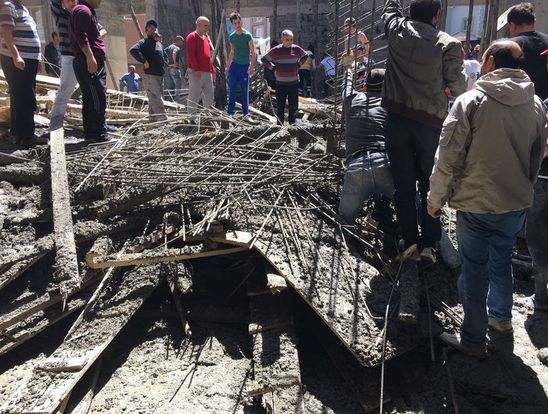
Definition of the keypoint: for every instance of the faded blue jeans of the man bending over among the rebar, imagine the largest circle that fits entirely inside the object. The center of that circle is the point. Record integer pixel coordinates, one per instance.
(366, 174)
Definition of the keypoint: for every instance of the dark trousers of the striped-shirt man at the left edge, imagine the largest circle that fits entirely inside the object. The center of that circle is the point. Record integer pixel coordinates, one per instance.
(22, 85)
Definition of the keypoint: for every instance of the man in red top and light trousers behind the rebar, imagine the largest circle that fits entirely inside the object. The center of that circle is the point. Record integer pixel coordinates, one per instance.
(200, 70)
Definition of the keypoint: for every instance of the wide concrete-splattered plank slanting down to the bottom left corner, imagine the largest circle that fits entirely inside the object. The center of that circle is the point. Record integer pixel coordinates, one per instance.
(46, 390)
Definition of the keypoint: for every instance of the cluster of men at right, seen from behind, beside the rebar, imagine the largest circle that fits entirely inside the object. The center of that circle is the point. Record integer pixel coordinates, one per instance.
(485, 156)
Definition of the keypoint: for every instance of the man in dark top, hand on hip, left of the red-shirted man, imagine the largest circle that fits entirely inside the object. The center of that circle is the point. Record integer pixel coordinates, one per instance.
(150, 53)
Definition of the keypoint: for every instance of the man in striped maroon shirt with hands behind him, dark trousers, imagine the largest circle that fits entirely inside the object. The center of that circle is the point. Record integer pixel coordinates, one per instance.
(286, 60)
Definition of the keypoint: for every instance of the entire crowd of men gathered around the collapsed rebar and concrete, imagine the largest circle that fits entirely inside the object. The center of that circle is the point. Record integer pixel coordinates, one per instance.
(435, 128)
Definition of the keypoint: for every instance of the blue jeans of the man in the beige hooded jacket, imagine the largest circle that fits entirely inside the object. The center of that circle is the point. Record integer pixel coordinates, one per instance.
(485, 247)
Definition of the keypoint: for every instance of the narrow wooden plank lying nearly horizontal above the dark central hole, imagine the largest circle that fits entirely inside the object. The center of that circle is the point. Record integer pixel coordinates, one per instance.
(152, 257)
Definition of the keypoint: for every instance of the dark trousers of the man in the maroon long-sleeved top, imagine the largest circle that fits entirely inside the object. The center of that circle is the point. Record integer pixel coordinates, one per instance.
(94, 100)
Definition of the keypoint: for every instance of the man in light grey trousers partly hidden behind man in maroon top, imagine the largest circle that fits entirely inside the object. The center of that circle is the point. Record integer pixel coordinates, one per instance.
(61, 10)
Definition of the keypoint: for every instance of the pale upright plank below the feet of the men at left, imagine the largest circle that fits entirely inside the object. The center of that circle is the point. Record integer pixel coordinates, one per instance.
(66, 260)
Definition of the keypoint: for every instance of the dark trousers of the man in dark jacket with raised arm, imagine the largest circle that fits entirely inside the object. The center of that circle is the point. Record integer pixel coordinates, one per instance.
(411, 147)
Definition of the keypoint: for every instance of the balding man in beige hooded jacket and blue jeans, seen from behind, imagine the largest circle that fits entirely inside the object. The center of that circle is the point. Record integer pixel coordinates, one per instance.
(490, 150)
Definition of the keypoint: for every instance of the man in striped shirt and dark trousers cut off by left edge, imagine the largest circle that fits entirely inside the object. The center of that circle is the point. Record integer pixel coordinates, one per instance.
(19, 58)
